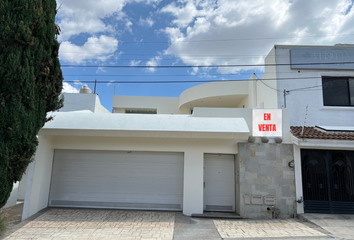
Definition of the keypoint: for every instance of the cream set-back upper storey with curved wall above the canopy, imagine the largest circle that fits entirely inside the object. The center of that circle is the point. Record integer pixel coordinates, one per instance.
(224, 94)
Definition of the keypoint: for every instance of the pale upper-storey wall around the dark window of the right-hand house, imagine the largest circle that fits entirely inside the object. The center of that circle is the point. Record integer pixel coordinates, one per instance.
(301, 84)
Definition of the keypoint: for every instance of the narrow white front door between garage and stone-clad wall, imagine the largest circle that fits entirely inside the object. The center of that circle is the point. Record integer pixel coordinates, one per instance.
(219, 183)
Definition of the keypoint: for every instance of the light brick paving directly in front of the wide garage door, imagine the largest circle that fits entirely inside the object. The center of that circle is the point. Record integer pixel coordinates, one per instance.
(57, 224)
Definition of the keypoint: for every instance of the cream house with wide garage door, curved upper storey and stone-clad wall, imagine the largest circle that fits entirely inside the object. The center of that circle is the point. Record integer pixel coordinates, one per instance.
(157, 154)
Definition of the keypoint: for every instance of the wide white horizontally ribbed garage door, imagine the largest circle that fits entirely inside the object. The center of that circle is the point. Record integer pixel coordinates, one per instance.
(122, 180)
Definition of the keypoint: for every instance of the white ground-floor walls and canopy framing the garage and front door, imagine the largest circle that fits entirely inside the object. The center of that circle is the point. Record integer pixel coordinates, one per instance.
(193, 136)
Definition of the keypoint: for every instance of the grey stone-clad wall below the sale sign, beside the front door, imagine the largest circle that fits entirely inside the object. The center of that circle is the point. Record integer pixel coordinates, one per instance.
(262, 170)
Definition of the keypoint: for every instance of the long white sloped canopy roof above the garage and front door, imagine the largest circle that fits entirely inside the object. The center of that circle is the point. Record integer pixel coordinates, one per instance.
(144, 125)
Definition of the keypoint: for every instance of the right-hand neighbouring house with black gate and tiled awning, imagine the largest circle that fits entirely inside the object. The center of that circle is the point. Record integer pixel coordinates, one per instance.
(320, 81)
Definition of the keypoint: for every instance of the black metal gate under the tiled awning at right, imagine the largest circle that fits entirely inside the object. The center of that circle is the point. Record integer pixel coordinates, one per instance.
(328, 181)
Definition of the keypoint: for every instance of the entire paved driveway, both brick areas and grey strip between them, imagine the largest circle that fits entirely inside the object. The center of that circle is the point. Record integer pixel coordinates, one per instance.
(57, 224)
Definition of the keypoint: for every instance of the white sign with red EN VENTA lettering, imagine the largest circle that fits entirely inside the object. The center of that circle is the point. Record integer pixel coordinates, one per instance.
(267, 123)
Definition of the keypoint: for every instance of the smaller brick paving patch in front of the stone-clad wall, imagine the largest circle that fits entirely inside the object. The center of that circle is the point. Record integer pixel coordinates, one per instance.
(287, 228)
